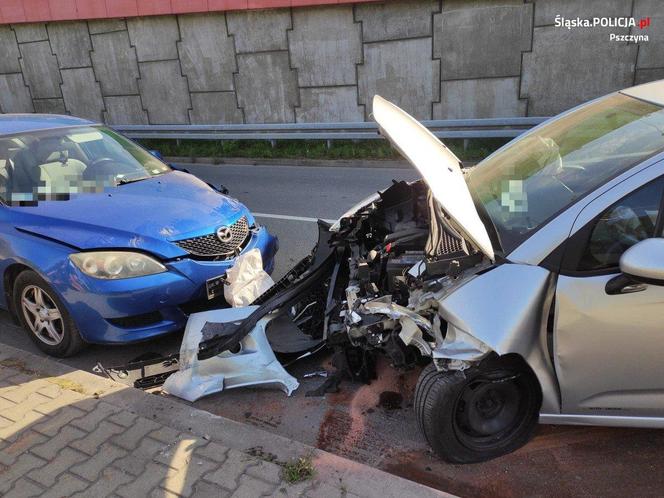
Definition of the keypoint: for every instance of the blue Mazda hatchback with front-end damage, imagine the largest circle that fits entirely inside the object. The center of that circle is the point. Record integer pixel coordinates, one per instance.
(102, 242)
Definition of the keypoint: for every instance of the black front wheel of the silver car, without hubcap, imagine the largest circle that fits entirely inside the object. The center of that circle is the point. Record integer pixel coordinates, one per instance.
(481, 413)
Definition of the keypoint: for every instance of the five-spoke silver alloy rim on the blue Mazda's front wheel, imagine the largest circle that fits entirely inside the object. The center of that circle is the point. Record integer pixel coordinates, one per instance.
(42, 315)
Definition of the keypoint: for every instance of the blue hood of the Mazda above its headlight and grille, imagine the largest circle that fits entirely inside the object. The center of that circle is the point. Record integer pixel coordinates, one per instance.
(144, 215)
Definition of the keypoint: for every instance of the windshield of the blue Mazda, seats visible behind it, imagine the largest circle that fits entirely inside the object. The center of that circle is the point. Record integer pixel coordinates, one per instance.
(52, 164)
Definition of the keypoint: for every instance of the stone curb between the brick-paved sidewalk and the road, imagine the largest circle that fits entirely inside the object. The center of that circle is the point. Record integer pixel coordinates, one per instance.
(178, 415)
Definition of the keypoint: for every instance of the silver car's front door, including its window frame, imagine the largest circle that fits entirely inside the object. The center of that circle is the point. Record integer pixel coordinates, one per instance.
(609, 345)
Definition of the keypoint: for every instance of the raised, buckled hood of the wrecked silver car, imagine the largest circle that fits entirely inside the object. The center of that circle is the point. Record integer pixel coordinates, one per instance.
(439, 167)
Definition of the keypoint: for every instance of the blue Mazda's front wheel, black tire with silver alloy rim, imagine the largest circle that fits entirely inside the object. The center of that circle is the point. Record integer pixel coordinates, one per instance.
(61, 337)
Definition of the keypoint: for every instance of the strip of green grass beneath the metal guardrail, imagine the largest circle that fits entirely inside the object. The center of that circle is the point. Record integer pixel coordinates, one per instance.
(307, 149)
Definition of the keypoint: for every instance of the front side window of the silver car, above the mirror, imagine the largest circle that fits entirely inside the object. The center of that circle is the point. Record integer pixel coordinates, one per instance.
(622, 225)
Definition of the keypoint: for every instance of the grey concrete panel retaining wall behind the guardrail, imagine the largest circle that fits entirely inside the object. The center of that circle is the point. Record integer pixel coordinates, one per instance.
(436, 58)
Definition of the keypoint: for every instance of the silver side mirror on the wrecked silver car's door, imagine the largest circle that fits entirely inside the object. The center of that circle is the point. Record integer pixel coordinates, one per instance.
(644, 262)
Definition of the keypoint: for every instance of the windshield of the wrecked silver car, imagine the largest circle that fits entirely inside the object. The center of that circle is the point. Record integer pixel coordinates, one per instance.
(541, 173)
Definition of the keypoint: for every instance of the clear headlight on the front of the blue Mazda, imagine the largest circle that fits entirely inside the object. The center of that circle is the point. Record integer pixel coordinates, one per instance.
(112, 265)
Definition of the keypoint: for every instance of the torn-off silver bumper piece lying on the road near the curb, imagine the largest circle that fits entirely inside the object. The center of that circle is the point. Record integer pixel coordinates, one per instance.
(253, 365)
